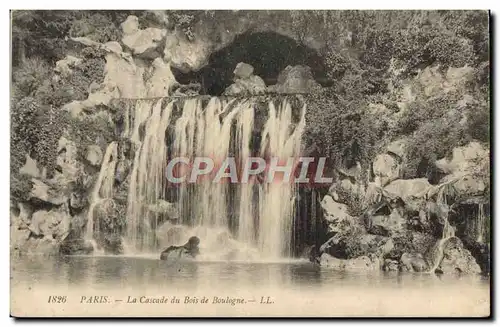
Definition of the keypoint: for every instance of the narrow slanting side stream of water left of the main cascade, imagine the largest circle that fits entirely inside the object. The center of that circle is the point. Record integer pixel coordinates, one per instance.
(103, 188)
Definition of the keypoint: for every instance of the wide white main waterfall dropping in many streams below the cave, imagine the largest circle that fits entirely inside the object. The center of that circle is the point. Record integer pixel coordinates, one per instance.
(257, 217)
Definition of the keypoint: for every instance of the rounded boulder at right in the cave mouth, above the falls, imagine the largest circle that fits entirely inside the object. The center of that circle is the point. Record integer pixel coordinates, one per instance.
(295, 79)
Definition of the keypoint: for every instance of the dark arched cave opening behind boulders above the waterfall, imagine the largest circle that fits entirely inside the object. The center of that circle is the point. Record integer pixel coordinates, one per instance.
(268, 52)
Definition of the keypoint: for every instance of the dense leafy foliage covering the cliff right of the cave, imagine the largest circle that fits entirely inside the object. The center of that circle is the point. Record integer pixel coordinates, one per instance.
(365, 48)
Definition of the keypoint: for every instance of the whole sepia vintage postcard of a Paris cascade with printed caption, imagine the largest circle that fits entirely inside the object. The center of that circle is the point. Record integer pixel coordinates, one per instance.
(210, 163)
